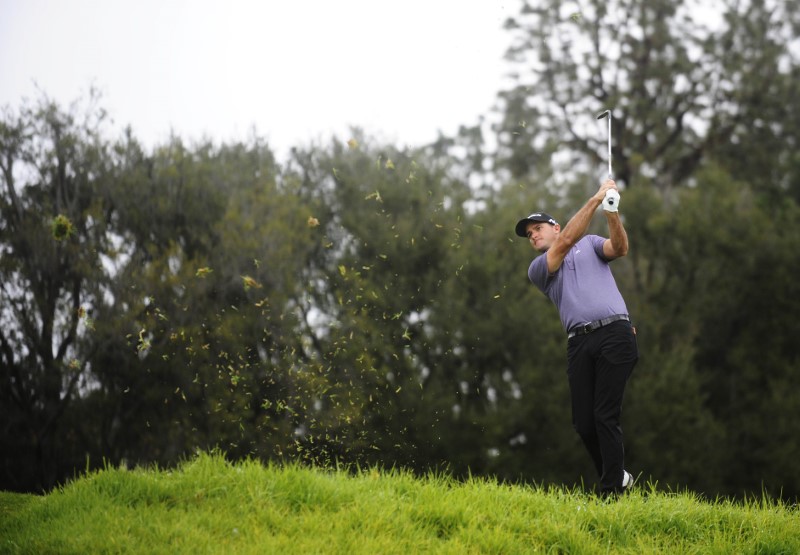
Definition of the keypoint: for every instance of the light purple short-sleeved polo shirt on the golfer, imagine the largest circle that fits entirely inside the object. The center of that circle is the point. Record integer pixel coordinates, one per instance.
(583, 288)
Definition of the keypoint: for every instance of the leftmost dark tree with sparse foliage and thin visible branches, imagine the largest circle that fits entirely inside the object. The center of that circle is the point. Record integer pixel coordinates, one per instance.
(55, 205)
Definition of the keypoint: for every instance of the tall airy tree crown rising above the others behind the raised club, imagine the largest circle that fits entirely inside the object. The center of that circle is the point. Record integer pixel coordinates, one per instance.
(684, 87)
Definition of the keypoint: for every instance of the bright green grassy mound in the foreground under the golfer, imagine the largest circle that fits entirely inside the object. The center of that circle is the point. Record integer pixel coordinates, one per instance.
(208, 505)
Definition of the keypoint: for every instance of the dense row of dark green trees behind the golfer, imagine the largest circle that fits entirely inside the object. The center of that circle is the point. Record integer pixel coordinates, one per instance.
(360, 303)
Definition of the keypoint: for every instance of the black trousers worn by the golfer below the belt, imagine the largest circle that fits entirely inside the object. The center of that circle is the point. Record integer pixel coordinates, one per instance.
(598, 366)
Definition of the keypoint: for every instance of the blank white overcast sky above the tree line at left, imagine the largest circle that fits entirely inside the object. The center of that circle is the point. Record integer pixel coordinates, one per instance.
(295, 70)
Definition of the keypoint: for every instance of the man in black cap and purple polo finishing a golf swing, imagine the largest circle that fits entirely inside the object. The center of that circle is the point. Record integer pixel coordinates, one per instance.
(573, 271)
